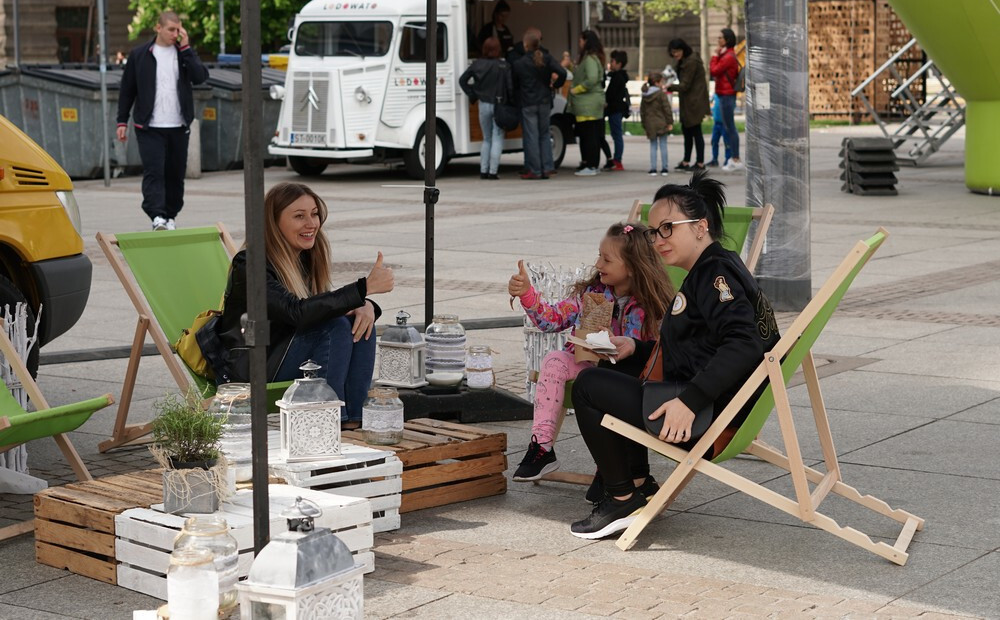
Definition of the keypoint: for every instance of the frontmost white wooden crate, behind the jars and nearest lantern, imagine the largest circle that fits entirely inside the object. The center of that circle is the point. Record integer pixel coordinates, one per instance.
(145, 536)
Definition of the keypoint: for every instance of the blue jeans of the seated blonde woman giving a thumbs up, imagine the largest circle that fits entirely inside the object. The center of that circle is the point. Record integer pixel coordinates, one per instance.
(348, 365)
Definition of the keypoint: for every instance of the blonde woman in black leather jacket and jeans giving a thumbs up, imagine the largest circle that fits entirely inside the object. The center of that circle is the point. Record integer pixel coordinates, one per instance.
(307, 320)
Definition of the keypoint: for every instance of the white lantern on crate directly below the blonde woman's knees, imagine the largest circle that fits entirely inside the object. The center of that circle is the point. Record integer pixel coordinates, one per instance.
(310, 418)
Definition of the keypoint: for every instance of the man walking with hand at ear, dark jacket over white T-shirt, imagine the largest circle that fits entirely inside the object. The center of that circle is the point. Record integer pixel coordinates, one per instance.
(156, 89)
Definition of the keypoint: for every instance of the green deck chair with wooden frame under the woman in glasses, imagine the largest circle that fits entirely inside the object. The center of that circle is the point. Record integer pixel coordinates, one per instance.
(794, 350)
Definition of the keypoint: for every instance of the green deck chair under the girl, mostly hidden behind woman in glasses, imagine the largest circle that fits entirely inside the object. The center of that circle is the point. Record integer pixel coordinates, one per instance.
(736, 223)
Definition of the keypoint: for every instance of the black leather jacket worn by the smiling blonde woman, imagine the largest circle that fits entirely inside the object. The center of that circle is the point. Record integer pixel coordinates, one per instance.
(286, 313)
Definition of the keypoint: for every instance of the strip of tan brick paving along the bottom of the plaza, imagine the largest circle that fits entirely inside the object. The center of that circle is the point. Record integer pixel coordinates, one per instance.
(604, 589)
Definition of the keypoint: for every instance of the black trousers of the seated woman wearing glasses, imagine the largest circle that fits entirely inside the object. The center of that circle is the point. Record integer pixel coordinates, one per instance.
(599, 391)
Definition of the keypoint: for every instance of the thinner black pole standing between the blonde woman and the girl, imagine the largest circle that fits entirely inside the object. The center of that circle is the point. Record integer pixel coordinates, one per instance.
(430, 156)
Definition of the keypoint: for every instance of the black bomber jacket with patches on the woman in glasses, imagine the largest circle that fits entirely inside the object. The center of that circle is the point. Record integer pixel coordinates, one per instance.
(716, 333)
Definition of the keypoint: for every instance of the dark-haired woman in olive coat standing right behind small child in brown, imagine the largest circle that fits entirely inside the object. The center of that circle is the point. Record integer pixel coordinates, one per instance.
(692, 87)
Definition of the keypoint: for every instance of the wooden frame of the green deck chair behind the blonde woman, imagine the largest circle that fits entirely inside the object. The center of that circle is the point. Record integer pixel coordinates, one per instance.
(124, 433)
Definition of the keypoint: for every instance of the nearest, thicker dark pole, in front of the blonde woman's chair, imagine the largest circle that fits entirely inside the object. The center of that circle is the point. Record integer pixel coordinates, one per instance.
(255, 332)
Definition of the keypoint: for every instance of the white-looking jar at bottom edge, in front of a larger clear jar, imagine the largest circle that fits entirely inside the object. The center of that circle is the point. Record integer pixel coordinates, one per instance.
(192, 585)
